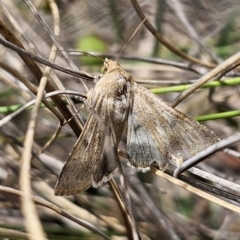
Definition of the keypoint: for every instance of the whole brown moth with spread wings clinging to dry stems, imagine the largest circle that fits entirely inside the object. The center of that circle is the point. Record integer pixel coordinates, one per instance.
(155, 132)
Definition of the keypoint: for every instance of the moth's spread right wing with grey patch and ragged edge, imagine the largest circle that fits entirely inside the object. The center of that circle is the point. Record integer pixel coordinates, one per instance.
(156, 131)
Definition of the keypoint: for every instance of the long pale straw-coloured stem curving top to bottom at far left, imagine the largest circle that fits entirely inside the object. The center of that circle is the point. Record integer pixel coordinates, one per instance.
(31, 218)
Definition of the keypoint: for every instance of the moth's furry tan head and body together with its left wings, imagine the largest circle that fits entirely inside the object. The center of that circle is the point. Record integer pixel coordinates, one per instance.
(93, 159)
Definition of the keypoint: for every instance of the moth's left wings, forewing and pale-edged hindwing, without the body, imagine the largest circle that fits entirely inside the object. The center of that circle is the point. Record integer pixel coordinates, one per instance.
(91, 162)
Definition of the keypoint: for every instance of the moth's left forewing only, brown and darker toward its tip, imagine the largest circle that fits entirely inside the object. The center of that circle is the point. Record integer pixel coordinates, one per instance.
(78, 170)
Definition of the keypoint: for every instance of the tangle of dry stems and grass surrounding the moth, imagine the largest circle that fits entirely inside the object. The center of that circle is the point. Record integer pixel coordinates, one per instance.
(191, 41)
